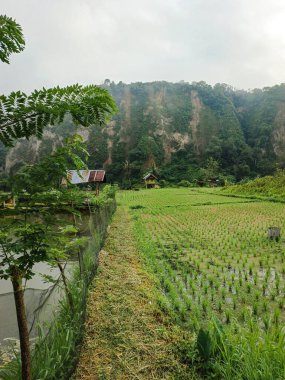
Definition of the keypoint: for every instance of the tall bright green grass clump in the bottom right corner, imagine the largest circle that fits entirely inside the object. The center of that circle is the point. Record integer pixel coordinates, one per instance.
(246, 352)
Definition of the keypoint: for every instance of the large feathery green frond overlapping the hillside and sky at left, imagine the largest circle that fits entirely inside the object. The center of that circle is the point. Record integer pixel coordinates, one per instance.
(24, 115)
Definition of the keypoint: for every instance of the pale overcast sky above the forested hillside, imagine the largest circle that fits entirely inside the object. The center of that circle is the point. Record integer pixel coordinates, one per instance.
(238, 42)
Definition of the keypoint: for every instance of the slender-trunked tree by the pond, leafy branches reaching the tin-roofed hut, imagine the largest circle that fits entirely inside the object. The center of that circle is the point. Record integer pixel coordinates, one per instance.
(34, 235)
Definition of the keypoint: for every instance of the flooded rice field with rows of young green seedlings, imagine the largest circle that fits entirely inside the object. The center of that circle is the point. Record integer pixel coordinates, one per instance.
(213, 259)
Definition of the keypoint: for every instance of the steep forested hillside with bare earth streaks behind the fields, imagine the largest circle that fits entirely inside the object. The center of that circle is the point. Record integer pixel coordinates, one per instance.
(182, 131)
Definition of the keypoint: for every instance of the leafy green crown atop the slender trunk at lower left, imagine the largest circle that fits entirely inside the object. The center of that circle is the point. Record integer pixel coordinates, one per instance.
(32, 238)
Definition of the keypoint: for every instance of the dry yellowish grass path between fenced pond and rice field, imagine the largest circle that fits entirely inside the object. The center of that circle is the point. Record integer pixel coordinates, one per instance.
(125, 336)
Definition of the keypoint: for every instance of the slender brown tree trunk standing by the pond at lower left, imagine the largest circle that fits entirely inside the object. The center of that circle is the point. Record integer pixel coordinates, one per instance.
(23, 327)
